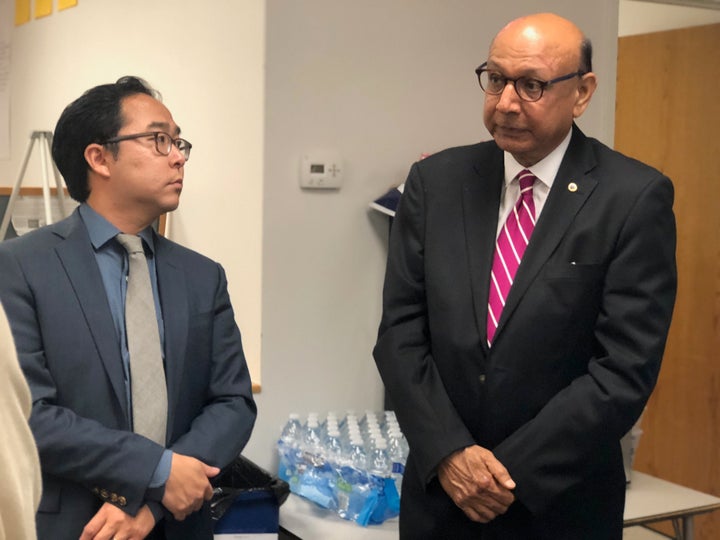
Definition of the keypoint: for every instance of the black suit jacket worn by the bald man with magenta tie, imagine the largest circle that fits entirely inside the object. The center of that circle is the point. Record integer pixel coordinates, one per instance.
(578, 347)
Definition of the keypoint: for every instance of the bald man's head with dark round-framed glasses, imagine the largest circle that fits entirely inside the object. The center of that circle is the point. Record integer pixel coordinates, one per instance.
(542, 80)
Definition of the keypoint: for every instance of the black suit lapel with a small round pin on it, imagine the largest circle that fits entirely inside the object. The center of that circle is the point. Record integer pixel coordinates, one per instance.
(571, 188)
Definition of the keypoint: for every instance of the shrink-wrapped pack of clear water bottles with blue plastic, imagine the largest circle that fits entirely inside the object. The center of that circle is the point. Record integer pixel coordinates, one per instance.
(349, 465)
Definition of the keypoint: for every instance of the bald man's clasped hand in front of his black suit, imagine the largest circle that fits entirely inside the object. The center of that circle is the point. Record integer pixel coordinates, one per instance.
(477, 483)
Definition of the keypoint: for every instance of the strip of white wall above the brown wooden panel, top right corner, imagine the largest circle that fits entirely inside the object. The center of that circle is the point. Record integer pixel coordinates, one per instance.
(641, 17)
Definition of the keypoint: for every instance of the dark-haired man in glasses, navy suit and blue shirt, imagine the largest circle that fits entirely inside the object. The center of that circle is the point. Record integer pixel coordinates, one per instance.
(63, 287)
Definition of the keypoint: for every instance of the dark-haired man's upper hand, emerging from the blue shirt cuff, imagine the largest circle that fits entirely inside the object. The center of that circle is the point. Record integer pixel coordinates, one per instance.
(188, 485)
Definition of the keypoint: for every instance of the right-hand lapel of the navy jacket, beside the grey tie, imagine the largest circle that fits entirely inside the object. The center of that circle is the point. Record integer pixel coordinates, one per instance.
(173, 299)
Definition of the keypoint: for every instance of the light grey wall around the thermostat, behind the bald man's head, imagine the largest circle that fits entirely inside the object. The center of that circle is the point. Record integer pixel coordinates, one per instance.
(379, 82)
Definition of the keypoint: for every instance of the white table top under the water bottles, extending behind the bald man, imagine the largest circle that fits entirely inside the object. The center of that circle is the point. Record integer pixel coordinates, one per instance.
(648, 499)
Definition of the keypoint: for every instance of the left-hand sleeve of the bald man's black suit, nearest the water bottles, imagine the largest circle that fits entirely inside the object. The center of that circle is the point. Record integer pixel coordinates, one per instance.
(403, 351)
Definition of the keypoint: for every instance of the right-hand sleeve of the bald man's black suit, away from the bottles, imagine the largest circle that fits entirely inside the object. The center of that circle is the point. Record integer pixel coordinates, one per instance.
(583, 423)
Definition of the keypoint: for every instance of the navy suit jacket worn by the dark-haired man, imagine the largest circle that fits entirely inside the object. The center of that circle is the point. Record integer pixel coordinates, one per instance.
(53, 293)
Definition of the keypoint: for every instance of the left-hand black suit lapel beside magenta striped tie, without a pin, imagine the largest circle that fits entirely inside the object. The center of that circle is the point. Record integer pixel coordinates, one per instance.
(481, 199)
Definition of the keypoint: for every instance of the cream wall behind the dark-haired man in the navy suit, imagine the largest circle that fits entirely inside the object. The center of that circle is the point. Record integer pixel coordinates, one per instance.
(207, 60)
